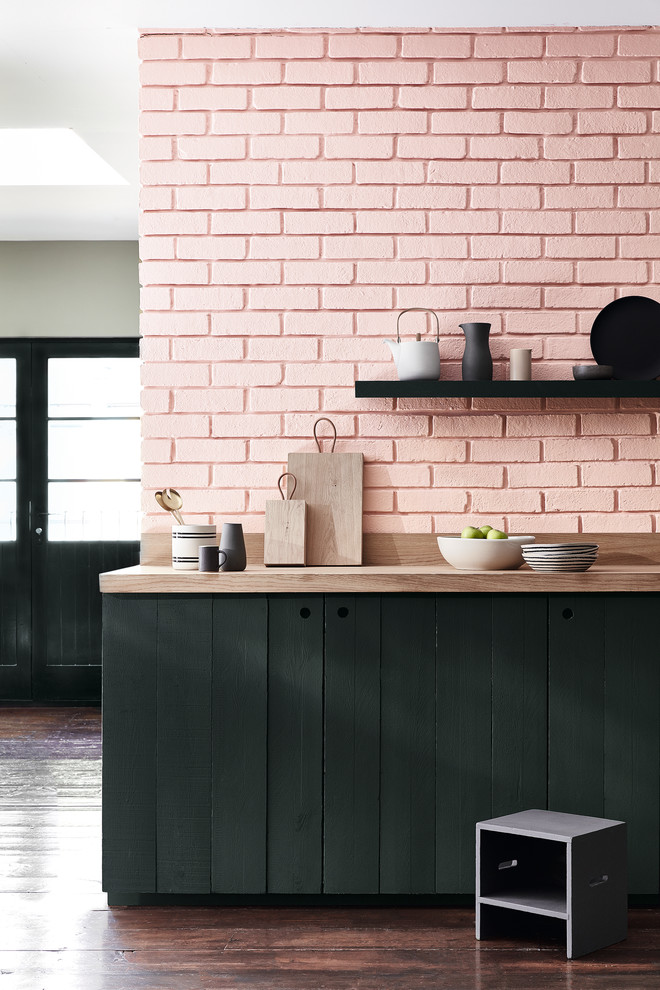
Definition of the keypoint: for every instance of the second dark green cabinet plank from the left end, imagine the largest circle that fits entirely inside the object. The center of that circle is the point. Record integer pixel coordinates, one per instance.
(184, 744)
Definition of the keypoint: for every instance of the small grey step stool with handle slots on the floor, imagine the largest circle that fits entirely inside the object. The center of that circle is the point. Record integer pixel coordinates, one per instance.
(568, 867)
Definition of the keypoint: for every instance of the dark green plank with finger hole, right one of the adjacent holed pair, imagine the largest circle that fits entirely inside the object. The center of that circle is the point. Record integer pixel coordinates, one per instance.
(352, 744)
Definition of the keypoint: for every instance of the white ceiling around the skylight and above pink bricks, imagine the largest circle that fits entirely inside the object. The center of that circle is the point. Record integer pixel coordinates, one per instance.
(73, 63)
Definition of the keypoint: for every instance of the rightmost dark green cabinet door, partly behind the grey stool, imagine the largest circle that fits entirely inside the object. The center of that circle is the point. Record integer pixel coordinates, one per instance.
(604, 719)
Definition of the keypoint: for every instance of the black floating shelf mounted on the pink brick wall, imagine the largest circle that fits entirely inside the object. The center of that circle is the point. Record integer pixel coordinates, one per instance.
(508, 390)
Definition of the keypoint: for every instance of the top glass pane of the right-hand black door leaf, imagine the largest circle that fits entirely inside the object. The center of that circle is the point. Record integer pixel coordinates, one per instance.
(94, 387)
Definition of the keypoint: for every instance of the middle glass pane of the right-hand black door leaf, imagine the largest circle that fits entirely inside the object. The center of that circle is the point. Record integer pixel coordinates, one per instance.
(89, 449)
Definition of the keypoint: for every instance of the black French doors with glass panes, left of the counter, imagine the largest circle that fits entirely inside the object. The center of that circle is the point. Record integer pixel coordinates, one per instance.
(69, 506)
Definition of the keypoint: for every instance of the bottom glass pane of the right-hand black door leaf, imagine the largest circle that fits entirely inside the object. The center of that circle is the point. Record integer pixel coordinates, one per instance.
(93, 510)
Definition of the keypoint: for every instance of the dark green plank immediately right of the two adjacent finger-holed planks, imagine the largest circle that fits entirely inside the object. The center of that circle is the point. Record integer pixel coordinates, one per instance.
(407, 823)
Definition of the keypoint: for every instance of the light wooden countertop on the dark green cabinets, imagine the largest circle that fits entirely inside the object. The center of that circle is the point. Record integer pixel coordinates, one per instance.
(379, 578)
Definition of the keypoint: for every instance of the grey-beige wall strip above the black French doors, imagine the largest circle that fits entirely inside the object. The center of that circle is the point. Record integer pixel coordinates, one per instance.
(69, 289)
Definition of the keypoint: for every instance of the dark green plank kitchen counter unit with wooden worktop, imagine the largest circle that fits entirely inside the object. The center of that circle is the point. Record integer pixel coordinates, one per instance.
(328, 734)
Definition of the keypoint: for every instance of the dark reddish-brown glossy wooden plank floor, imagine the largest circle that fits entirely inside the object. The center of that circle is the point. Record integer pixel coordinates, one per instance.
(57, 932)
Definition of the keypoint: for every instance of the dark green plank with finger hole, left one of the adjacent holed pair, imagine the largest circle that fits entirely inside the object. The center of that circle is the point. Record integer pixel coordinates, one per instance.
(295, 743)
